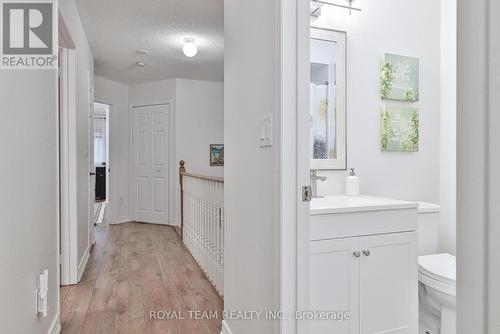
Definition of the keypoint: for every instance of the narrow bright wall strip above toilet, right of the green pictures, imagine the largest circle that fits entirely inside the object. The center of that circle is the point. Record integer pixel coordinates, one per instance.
(448, 129)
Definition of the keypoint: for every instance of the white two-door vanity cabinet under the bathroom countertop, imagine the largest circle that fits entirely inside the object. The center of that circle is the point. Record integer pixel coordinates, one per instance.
(365, 263)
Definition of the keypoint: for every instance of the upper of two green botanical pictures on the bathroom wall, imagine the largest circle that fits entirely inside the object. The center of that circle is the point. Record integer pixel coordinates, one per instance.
(399, 78)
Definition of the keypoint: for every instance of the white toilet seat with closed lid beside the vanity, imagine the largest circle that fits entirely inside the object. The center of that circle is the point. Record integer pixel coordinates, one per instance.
(438, 271)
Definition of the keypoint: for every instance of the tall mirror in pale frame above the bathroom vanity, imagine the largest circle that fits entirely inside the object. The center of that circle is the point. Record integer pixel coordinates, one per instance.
(327, 119)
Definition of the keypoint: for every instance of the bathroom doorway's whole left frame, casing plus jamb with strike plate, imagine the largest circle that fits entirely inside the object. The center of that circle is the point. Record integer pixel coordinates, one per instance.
(292, 160)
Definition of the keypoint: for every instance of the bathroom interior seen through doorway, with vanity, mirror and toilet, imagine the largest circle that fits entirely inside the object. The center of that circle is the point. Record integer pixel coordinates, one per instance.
(396, 129)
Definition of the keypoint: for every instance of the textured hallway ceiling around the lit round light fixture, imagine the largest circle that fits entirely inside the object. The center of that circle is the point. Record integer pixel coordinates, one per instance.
(117, 28)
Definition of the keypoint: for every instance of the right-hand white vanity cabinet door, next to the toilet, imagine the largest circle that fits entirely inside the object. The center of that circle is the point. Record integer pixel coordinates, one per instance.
(389, 284)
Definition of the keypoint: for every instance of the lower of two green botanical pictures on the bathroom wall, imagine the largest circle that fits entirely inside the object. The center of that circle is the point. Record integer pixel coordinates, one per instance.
(399, 129)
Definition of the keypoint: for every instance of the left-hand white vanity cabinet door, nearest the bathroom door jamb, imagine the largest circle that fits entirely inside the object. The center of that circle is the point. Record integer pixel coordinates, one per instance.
(334, 284)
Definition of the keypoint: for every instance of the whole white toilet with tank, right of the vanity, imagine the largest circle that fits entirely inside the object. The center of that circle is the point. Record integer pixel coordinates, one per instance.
(436, 276)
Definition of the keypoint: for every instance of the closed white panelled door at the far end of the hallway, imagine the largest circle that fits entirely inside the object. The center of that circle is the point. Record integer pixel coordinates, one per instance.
(150, 161)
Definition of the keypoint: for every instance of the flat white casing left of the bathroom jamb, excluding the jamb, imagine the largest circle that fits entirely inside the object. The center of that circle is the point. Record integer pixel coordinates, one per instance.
(288, 163)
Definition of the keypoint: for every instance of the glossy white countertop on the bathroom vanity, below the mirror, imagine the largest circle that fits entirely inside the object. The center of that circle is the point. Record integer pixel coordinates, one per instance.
(345, 204)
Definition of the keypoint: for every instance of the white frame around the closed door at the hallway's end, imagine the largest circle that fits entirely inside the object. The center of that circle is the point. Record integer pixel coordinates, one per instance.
(171, 164)
